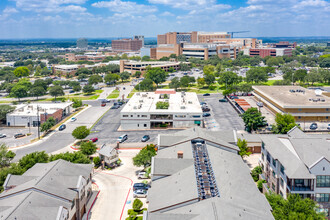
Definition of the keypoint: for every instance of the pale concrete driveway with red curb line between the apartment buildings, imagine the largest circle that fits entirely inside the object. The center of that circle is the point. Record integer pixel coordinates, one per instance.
(115, 186)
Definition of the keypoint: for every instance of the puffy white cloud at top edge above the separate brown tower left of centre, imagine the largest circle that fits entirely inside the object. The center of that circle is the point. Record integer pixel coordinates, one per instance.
(125, 7)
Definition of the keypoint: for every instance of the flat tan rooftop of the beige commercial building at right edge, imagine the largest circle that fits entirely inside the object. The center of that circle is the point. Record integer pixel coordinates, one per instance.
(300, 98)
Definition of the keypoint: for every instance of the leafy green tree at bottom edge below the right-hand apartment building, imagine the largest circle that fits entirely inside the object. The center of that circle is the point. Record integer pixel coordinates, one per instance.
(294, 207)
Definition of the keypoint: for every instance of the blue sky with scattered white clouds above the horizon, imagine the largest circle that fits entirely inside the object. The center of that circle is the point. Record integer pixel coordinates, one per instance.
(124, 18)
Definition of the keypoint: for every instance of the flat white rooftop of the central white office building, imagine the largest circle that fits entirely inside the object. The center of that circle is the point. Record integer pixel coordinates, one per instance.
(179, 102)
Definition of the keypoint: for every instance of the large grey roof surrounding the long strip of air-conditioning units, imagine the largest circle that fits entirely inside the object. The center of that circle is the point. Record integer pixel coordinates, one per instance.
(176, 196)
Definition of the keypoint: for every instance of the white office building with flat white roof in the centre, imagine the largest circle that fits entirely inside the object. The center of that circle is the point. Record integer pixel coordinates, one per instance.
(141, 112)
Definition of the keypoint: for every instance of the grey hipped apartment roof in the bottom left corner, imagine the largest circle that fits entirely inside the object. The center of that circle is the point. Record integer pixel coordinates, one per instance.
(42, 190)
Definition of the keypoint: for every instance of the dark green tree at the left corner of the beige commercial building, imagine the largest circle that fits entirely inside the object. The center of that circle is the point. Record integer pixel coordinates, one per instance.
(253, 119)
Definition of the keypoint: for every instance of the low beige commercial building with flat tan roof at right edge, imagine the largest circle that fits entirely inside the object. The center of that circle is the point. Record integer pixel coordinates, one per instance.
(306, 105)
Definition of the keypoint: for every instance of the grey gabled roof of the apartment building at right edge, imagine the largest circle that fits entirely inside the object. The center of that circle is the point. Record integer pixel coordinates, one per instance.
(297, 151)
